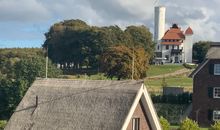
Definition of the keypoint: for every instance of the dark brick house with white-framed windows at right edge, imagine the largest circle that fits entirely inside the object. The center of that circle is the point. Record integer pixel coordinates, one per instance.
(206, 89)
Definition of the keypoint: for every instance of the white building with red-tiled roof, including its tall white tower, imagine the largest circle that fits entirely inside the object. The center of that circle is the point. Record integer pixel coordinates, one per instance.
(174, 45)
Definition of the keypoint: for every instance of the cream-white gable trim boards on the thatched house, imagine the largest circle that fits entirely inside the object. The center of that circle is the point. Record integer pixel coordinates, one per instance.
(148, 107)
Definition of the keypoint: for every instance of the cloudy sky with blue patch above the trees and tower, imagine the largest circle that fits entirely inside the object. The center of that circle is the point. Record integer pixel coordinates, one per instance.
(24, 22)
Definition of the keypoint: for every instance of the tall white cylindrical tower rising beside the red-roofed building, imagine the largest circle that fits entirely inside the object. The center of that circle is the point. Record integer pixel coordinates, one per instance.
(159, 26)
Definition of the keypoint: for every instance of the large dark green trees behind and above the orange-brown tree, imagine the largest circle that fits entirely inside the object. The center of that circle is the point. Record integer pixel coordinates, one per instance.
(74, 44)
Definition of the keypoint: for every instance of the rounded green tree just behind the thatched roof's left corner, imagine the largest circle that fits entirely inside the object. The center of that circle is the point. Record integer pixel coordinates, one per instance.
(26, 71)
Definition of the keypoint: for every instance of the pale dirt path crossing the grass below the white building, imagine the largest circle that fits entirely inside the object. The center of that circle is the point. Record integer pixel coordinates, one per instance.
(175, 73)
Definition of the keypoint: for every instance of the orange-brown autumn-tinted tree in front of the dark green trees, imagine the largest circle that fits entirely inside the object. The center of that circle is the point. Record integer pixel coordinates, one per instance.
(117, 61)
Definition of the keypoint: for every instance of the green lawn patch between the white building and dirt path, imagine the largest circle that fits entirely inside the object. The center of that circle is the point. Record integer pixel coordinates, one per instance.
(163, 69)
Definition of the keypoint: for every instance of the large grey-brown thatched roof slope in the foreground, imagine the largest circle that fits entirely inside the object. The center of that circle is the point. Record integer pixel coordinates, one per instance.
(75, 104)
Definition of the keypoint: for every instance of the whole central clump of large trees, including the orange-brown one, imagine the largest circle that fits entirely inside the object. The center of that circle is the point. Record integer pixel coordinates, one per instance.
(74, 44)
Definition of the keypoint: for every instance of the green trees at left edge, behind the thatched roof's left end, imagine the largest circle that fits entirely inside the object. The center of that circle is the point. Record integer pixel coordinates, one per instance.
(18, 70)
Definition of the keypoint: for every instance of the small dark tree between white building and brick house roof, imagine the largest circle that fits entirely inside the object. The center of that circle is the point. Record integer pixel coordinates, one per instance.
(200, 49)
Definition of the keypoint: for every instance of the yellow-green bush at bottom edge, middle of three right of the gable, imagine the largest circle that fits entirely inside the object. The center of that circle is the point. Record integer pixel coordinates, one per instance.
(188, 124)
